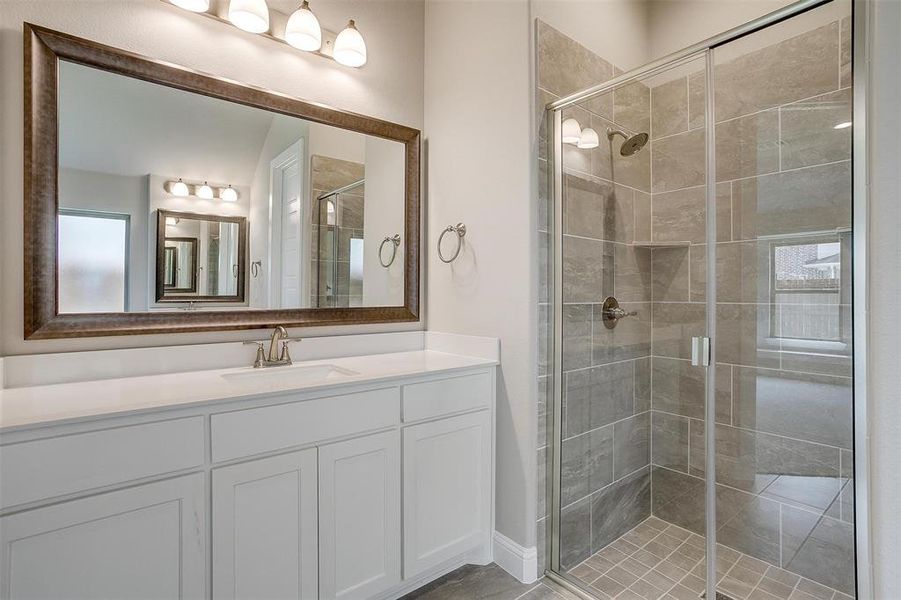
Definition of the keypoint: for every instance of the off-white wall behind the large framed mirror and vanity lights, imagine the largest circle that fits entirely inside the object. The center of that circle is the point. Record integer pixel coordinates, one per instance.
(388, 87)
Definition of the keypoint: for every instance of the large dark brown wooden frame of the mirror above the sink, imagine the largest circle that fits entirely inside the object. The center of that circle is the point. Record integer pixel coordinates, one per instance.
(44, 48)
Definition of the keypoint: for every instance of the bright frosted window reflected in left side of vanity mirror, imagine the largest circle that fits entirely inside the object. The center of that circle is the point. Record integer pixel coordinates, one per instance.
(93, 261)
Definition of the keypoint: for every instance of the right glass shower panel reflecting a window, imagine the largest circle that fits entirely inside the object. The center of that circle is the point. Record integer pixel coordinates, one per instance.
(784, 451)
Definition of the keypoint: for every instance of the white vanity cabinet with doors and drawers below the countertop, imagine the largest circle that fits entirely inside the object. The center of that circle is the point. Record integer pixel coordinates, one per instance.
(362, 491)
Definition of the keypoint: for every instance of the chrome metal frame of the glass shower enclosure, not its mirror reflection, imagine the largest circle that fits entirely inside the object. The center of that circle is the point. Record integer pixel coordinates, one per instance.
(861, 16)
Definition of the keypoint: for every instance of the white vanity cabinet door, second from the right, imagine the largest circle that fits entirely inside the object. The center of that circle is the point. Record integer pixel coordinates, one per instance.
(359, 518)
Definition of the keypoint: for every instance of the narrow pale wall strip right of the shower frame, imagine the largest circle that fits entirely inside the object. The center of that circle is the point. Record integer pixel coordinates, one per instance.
(884, 327)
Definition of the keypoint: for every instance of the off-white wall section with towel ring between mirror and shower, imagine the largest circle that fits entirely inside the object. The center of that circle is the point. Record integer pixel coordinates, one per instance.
(480, 153)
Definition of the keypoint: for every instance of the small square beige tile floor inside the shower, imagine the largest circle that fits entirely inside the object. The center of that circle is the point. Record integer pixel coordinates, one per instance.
(658, 560)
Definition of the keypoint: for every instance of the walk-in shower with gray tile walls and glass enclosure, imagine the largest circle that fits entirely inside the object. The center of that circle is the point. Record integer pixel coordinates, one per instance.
(698, 303)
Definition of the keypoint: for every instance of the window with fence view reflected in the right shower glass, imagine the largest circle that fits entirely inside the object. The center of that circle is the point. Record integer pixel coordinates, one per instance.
(806, 290)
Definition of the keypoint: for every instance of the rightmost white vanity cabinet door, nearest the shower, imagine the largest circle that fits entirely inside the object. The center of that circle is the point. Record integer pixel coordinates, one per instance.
(447, 489)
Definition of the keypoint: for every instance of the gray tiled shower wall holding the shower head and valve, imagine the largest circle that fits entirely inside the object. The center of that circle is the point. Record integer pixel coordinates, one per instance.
(606, 413)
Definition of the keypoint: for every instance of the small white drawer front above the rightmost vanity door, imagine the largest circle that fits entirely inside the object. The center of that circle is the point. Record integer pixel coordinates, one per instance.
(446, 396)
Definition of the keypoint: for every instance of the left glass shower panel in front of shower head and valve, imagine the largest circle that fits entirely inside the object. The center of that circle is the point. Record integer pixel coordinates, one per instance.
(633, 216)
